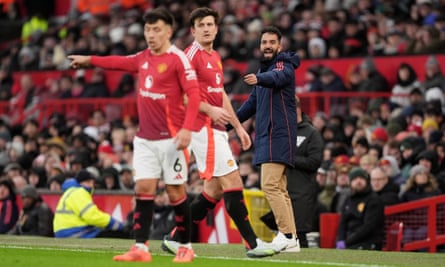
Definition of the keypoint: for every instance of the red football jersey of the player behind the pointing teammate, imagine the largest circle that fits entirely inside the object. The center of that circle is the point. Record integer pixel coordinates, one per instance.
(210, 74)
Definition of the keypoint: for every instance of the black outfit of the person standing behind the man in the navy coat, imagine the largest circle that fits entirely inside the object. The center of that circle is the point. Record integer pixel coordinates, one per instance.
(301, 180)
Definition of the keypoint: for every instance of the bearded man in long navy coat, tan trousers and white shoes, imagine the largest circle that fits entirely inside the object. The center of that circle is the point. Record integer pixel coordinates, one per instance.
(273, 101)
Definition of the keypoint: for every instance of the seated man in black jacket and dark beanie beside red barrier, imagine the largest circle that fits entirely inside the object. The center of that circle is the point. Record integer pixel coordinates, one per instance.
(362, 220)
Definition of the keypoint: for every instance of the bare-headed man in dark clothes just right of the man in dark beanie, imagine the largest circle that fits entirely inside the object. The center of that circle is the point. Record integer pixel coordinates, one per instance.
(384, 187)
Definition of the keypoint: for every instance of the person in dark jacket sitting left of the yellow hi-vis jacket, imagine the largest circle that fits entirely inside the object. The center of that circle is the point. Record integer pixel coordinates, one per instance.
(36, 218)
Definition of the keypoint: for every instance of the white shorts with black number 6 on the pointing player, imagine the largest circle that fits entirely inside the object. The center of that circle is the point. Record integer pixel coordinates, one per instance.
(159, 159)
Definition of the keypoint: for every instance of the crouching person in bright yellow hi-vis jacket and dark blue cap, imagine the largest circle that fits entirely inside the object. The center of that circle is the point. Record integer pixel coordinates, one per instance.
(77, 216)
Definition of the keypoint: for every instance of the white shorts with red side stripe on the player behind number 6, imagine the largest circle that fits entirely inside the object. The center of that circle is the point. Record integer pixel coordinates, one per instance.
(212, 151)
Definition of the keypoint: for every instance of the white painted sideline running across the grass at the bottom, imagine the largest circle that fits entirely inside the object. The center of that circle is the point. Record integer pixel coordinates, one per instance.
(204, 257)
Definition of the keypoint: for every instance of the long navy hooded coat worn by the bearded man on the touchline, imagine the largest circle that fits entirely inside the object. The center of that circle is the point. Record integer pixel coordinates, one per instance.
(273, 101)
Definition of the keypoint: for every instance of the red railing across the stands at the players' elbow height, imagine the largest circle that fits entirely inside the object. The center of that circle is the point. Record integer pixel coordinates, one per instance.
(338, 103)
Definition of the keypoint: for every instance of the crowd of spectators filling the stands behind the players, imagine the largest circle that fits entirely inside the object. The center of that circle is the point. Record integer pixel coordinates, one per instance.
(403, 134)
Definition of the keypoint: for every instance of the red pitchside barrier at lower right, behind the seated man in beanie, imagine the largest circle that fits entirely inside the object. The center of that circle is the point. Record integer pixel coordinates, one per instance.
(412, 226)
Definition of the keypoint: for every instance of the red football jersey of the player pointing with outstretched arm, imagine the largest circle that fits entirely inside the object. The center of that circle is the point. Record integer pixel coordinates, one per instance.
(162, 82)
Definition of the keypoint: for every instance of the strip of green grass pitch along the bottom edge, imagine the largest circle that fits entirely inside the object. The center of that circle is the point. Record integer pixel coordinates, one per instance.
(20, 251)
